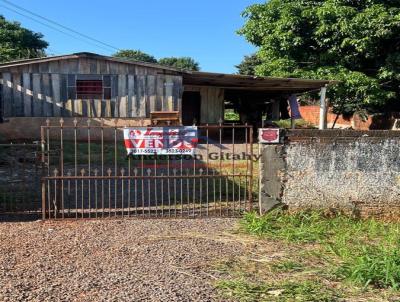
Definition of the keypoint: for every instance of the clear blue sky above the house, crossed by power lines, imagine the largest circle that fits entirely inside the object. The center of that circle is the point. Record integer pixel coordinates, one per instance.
(202, 29)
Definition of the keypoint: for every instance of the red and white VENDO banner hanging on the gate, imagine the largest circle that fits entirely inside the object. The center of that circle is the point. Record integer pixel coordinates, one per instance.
(161, 140)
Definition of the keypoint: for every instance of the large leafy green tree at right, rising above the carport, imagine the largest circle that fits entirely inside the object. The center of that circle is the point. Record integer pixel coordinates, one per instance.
(354, 41)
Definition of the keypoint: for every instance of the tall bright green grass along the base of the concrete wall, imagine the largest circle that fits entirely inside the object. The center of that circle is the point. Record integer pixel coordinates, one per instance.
(363, 252)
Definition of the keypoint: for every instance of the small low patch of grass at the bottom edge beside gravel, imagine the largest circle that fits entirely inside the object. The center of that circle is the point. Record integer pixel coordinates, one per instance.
(307, 290)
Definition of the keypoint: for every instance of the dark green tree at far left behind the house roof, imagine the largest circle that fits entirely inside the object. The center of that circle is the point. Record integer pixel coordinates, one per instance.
(17, 42)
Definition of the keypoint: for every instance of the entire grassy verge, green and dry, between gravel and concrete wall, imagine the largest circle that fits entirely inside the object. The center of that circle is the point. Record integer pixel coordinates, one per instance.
(343, 255)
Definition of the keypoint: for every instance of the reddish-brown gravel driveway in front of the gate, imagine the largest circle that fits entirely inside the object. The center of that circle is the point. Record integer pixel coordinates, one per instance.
(113, 260)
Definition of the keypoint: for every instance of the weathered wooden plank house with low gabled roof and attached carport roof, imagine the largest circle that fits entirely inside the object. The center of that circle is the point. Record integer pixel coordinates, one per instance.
(88, 85)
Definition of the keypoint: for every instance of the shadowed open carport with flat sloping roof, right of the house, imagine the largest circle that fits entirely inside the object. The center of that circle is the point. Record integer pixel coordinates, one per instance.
(252, 97)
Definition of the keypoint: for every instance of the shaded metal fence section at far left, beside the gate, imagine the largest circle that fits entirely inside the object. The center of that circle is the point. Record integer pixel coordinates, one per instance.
(20, 174)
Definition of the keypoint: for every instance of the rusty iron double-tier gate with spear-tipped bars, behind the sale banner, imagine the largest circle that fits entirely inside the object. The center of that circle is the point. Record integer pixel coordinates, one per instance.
(89, 175)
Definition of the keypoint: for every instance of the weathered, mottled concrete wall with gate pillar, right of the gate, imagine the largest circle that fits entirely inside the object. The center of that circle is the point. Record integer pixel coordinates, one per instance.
(354, 171)
